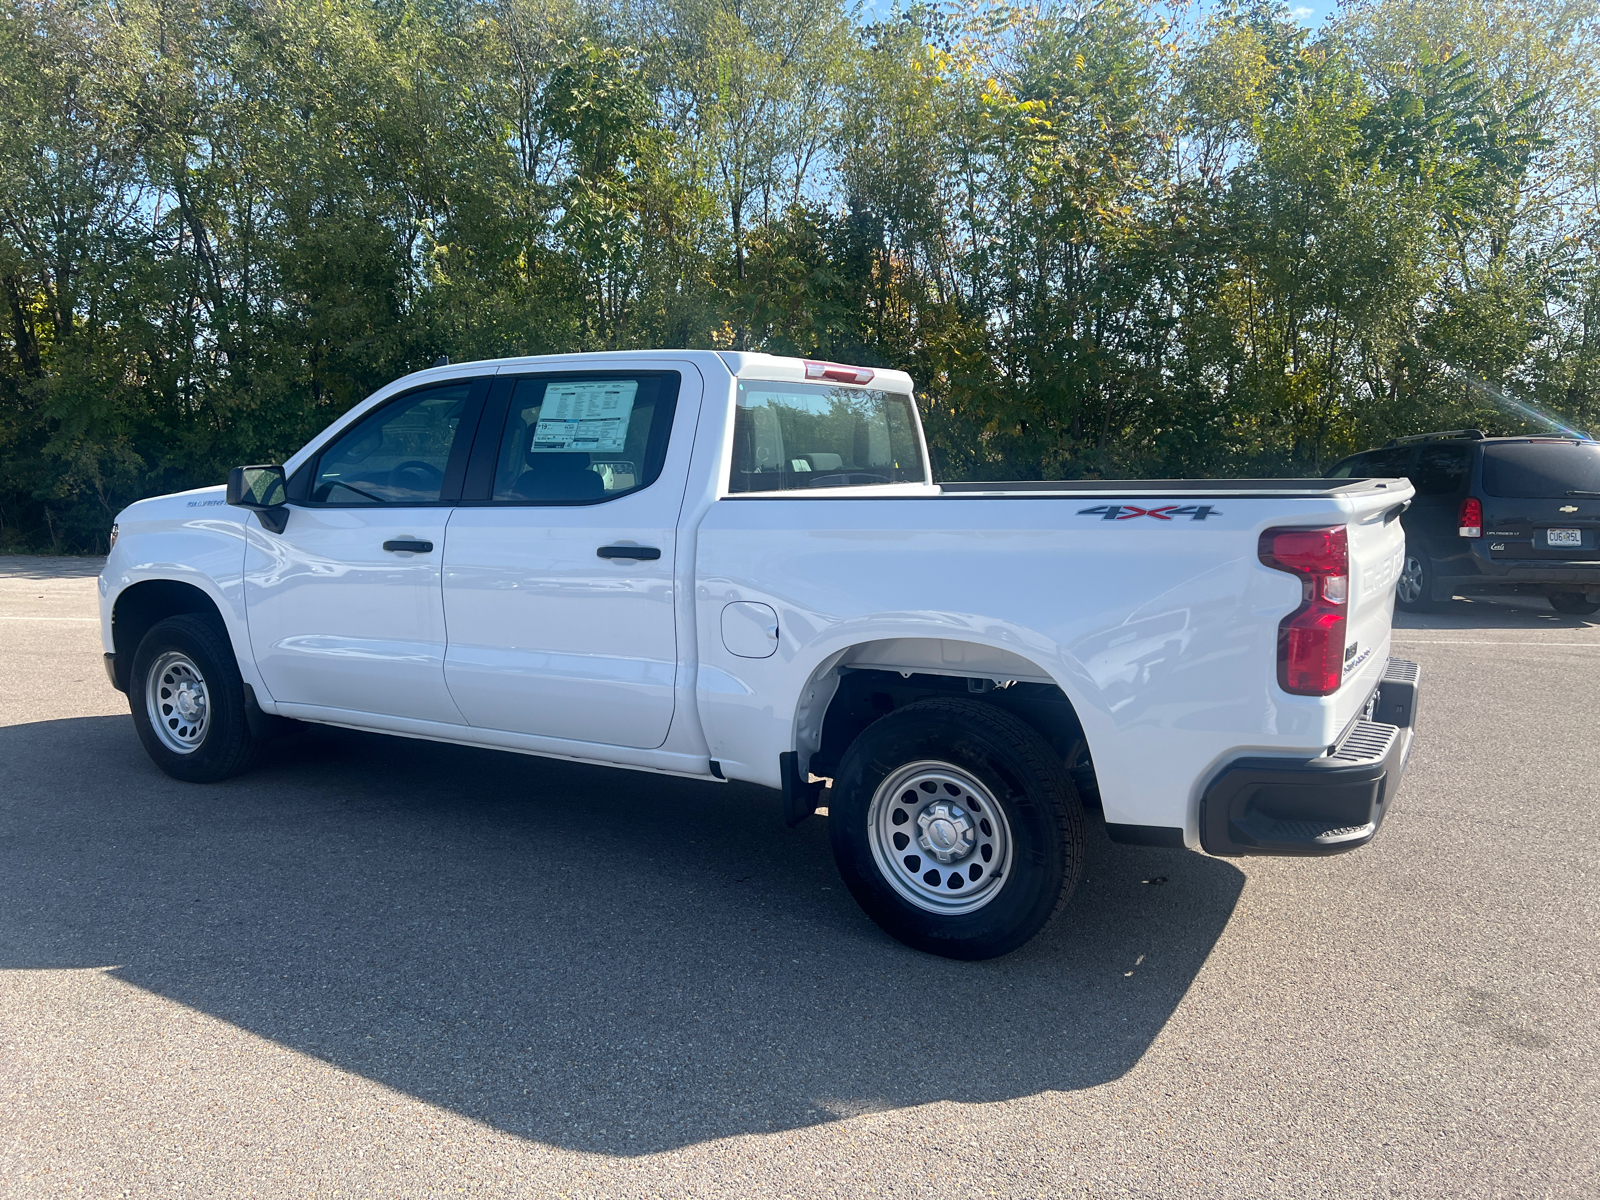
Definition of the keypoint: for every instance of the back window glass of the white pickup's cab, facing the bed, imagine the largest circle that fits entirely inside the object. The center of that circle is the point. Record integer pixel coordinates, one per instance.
(812, 436)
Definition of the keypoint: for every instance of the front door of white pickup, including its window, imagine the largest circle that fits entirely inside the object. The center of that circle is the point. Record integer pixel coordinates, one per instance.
(345, 606)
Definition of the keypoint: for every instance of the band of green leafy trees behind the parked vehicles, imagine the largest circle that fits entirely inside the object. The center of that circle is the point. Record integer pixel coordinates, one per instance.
(1102, 242)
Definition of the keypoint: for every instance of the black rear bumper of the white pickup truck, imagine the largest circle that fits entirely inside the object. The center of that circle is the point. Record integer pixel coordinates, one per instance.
(1322, 806)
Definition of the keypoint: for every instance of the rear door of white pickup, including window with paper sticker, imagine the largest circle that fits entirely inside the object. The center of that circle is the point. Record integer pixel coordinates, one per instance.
(559, 567)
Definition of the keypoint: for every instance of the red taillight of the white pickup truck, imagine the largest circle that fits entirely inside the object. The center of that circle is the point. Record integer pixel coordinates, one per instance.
(1311, 639)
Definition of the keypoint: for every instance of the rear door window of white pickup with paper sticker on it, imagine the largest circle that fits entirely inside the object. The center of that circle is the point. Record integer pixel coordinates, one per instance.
(585, 439)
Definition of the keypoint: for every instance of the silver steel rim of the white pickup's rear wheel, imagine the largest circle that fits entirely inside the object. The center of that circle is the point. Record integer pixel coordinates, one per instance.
(940, 838)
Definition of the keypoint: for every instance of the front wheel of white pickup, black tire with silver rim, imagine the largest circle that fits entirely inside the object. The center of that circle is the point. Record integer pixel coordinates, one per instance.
(217, 730)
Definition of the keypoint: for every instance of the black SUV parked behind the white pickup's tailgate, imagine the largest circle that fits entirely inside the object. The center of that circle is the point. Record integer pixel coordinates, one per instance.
(1495, 514)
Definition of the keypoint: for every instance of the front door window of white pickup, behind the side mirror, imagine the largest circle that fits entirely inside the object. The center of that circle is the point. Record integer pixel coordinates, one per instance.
(398, 455)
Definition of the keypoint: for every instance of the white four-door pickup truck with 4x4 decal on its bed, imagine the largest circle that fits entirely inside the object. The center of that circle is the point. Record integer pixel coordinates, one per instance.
(738, 567)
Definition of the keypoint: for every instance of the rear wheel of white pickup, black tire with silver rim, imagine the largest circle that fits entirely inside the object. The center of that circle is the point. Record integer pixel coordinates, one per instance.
(1015, 769)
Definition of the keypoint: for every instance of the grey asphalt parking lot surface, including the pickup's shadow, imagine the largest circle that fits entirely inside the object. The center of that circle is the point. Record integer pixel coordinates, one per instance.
(382, 967)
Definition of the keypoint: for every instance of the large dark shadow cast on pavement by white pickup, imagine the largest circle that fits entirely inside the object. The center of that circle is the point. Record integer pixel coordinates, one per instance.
(602, 961)
